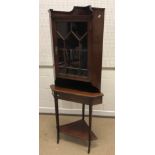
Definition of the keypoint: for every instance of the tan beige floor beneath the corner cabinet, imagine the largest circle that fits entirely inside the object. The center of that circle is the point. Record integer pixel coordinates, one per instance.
(104, 128)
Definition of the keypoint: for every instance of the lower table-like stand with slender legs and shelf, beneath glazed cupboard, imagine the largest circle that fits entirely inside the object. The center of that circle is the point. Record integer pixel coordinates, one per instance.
(78, 129)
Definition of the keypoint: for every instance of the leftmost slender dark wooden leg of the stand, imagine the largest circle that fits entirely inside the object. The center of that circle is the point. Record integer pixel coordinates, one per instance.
(57, 116)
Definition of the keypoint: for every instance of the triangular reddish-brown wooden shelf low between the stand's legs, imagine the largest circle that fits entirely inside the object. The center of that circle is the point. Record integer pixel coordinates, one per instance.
(78, 129)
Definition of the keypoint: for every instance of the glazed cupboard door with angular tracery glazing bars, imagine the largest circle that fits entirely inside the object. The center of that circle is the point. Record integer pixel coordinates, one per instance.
(71, 49)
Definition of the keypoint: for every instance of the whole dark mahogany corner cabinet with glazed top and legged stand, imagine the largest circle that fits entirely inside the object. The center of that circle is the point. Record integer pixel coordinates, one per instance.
(77, 39)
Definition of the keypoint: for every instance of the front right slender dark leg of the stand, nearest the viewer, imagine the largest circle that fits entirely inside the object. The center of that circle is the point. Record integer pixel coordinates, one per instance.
(90, 122)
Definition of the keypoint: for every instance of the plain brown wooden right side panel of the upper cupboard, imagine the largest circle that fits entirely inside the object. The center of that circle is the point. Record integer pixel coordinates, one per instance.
(97, 39)
